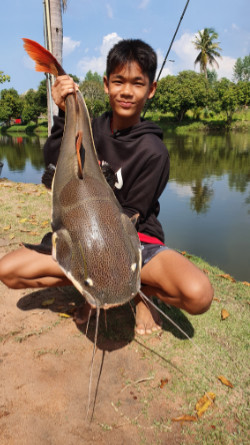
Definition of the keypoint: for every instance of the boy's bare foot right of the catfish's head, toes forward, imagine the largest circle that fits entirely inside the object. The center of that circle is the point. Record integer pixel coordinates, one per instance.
(147, 318)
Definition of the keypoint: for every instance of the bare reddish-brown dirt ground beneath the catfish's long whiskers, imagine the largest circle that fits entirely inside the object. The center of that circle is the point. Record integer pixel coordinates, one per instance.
(45, 362)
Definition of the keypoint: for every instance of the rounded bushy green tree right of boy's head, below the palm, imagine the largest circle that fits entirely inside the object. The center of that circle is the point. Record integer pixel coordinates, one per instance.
(181, 93)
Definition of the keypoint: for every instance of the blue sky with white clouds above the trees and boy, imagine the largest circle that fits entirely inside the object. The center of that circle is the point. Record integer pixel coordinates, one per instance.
(91, 27)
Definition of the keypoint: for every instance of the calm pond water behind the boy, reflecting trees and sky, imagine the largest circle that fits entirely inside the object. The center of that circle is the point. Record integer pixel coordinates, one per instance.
(205, 208)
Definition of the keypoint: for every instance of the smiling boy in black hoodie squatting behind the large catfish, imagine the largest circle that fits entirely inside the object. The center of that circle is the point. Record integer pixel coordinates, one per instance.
(135, 151)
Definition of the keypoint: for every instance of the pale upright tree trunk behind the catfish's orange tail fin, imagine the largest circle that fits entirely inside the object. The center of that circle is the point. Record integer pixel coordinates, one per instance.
(53, 36)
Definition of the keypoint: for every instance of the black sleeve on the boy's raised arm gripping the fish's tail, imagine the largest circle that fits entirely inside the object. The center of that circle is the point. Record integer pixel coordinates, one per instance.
(52, 145)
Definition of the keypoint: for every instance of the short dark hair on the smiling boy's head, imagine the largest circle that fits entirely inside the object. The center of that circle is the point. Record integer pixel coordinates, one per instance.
(132, 50)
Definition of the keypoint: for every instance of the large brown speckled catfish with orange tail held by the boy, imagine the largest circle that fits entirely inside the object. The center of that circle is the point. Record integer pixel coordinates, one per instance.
(94, 242)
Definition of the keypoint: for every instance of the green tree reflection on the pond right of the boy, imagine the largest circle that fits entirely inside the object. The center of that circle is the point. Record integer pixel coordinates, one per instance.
(197, 158)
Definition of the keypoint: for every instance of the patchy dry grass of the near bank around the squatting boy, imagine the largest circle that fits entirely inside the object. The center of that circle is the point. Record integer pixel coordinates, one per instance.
(181, 370)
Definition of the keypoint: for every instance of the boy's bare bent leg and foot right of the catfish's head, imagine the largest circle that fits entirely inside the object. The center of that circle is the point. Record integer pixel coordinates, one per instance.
(176, 281)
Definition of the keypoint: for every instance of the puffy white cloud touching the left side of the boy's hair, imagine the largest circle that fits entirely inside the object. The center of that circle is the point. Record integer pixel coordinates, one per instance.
(98, 64)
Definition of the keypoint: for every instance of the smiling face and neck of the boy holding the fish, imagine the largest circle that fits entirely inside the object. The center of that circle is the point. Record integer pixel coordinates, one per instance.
(128, 89)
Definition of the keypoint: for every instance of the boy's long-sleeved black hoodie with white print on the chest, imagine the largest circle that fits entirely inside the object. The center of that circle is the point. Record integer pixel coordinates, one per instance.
(140, 160)
